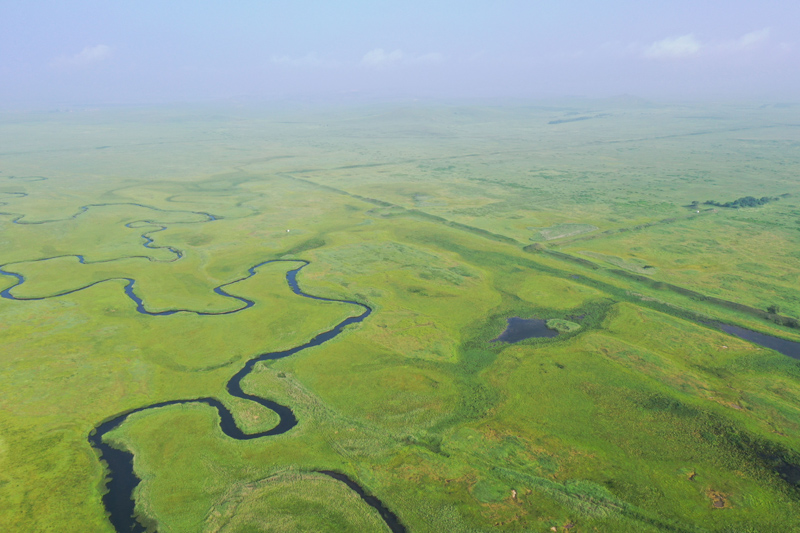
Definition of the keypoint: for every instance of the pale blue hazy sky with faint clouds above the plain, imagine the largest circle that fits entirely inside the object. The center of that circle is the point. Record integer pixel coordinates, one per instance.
(171, 50)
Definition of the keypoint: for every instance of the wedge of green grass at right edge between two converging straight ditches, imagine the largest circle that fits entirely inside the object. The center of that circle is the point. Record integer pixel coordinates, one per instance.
(741, 261)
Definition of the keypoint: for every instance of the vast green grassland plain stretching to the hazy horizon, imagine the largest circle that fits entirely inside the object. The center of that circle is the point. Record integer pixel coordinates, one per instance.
(446, 221)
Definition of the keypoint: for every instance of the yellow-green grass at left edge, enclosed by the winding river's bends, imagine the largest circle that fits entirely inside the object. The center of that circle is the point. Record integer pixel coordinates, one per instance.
(67, 372)
